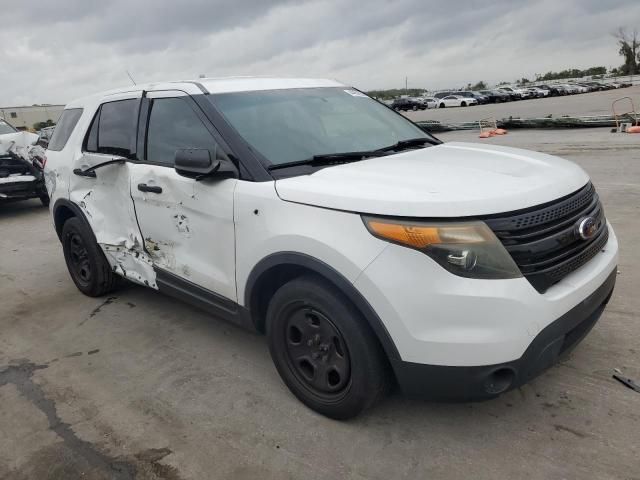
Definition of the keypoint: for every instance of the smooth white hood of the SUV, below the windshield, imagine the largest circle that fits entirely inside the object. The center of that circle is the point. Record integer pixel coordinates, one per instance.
(449, 180)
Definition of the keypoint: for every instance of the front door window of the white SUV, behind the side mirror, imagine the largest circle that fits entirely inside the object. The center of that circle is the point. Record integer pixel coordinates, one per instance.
(174, 125)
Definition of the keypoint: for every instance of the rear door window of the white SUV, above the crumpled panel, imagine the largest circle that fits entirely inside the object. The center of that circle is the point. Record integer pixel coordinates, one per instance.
(113, 130)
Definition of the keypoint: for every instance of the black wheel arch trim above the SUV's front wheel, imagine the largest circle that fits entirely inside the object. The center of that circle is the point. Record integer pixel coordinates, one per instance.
(328, 272)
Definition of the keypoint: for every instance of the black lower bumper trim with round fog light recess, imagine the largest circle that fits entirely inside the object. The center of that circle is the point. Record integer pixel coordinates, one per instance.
(444, 383)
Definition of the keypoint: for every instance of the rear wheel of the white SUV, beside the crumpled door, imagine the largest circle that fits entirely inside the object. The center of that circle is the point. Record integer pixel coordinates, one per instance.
(86, 263)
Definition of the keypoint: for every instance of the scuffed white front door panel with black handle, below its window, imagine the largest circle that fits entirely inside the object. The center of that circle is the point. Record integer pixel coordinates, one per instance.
(188, 228)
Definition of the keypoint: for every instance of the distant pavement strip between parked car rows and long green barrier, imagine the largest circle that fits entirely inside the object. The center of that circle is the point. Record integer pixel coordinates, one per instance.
(593, 103)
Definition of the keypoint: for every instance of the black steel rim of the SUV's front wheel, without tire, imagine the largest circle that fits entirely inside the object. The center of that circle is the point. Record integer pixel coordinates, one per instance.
(316, 352)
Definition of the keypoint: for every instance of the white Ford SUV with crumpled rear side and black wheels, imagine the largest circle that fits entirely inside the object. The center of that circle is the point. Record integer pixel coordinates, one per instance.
(366, 250)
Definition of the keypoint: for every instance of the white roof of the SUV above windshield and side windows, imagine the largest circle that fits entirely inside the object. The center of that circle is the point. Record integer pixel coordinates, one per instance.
(217, 85)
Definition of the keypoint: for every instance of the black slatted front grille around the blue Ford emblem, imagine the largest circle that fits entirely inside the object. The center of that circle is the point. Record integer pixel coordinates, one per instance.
(544, 241)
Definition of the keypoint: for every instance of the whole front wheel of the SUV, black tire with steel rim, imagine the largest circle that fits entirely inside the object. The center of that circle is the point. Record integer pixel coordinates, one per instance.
(323, 349)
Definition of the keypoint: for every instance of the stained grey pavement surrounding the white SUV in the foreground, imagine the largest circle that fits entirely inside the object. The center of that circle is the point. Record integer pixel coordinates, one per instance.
(138, 385)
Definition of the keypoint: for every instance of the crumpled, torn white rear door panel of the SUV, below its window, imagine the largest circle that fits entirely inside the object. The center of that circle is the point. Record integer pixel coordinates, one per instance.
(108, 207)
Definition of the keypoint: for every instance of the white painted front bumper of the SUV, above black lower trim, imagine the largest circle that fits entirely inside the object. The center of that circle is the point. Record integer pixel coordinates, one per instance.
(436, 318)
